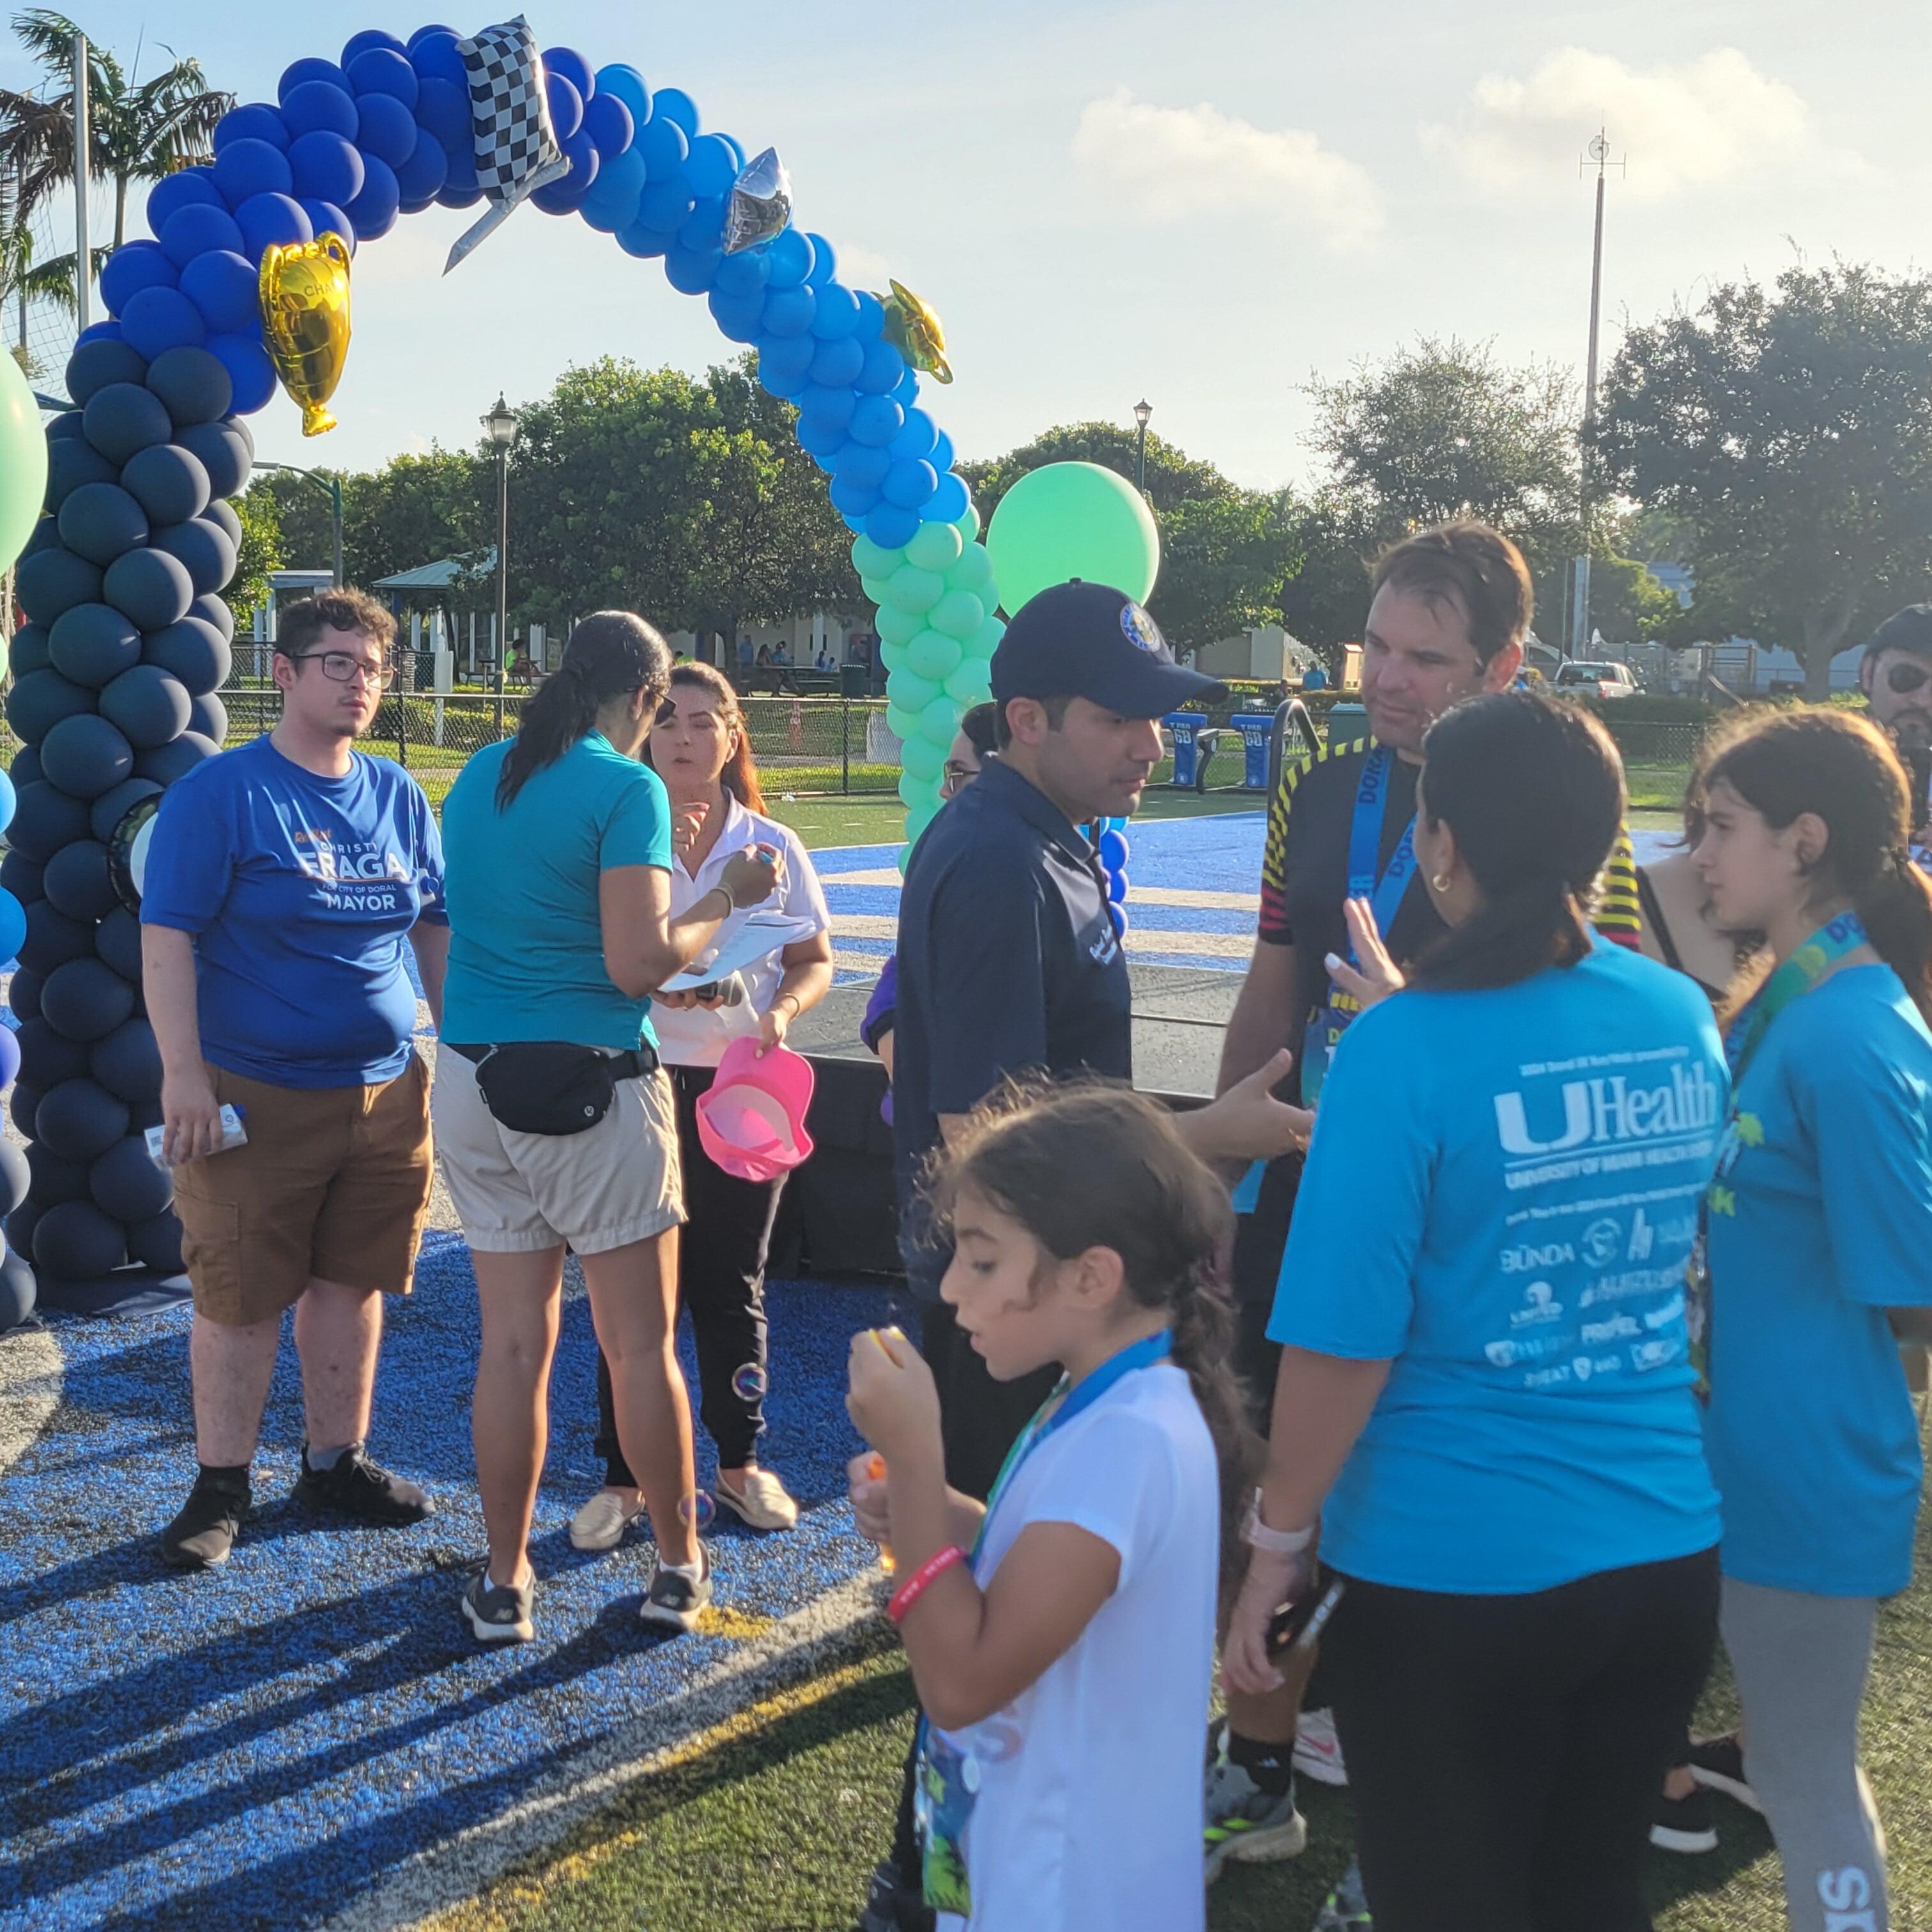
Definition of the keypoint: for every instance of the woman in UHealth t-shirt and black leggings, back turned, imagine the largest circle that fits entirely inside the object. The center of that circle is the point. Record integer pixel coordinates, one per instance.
(1485, 1394)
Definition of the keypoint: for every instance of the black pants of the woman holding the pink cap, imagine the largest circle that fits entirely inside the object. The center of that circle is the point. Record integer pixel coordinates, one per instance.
(722, 1282)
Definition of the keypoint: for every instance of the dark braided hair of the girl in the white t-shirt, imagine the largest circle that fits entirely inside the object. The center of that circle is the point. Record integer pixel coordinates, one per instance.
(1091, 1164)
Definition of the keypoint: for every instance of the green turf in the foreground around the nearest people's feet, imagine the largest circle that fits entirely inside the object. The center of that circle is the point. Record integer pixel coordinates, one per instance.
(776, 1829)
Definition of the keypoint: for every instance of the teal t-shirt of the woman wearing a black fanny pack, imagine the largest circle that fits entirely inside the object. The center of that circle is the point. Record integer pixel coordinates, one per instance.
(526, 936)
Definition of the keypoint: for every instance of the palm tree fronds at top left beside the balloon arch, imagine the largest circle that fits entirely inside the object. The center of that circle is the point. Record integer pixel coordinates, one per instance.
(140, 132)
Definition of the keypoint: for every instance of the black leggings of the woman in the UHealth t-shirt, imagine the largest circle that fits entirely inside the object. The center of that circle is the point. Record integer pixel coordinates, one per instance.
(1506, 1751)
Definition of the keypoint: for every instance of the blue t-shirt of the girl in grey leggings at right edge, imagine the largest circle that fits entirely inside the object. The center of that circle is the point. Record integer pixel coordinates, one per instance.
(1829, 1178)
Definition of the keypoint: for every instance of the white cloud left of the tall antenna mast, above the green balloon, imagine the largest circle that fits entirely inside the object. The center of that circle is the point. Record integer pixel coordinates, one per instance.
(1179, 163)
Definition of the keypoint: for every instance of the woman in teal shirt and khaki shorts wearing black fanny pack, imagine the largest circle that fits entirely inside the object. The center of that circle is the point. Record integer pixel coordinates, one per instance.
(563, 926)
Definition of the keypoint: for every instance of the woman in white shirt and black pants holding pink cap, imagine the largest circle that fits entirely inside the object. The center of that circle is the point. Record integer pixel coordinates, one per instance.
(704, 756)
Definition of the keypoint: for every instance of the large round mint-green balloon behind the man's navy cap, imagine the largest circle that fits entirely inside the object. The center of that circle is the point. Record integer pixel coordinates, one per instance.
(1073, 521)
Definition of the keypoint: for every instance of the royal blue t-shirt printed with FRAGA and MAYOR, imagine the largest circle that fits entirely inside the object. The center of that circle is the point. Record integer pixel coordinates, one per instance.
(300, 894)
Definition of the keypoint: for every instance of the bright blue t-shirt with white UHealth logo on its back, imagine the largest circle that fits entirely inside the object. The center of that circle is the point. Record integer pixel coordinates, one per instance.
(1500, 1201)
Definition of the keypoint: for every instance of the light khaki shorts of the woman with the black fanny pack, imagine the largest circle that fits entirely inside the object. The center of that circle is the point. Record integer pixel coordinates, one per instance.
(525, 1193)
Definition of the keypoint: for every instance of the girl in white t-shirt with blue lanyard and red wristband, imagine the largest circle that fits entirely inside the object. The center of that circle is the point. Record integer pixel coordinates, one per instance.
(1065, 1664)
